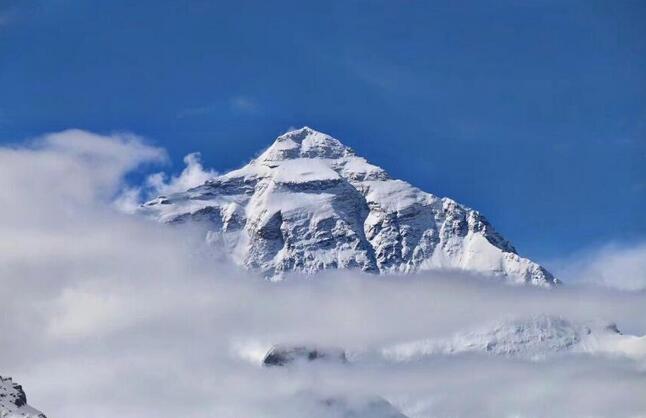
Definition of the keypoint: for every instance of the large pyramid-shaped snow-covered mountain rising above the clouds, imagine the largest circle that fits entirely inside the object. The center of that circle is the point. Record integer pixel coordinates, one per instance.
(310, 203)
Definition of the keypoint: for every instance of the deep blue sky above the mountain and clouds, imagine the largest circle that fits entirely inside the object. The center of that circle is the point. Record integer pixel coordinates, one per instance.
(533, 112)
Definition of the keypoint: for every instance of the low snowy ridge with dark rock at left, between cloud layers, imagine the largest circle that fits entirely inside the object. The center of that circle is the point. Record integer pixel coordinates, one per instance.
(530, 338)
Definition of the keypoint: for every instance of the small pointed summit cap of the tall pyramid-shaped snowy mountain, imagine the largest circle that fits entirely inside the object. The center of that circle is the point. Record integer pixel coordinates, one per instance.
(305, 143)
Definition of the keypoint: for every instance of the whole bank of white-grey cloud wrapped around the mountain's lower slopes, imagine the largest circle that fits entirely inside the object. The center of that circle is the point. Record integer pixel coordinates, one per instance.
(109, 315)
